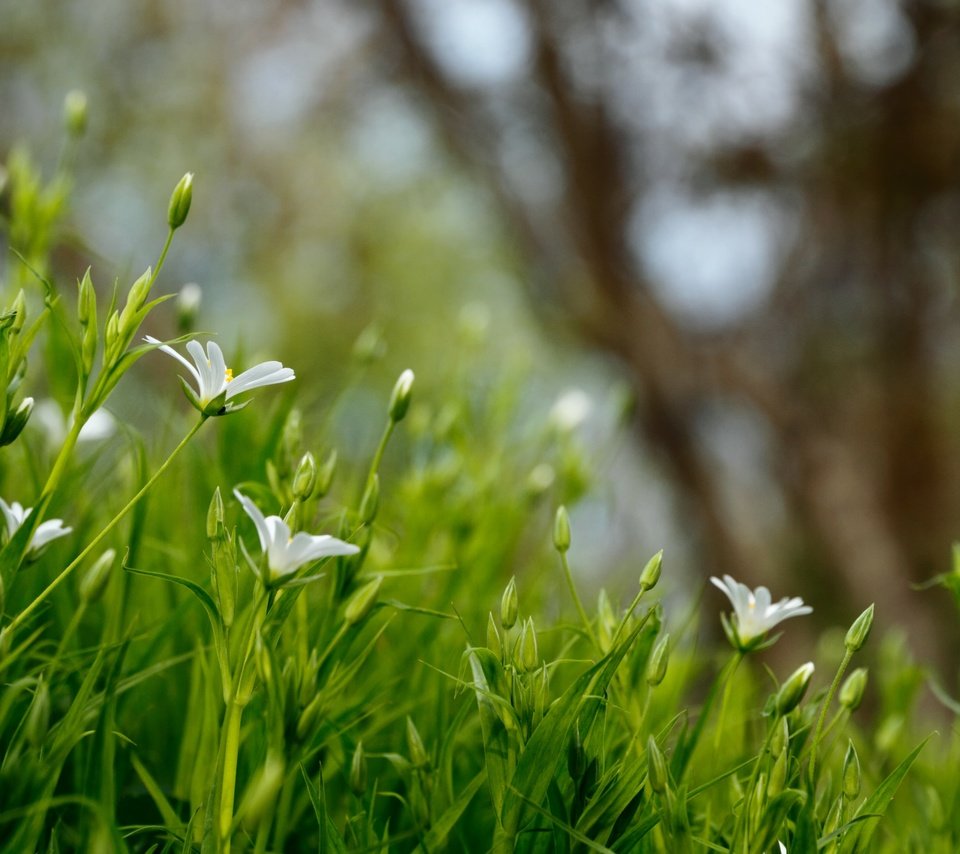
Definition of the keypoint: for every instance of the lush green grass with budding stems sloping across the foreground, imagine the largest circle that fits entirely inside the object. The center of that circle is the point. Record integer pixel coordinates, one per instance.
(163, 689)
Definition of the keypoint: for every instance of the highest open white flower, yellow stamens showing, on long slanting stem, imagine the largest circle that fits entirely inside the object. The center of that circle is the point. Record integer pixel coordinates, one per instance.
(216, 384)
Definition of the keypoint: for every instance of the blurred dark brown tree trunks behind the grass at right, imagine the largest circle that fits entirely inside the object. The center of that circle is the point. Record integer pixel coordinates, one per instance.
(847, 363)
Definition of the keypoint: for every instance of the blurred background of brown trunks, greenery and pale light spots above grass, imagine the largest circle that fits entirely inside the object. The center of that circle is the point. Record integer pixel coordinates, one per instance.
(725, 233)
